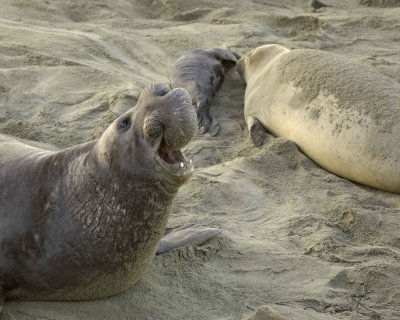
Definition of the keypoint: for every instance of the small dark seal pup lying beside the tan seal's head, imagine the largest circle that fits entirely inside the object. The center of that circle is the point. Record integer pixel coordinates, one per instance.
(202, 72)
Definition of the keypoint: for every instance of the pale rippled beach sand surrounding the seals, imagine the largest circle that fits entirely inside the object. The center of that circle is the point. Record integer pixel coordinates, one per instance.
(297, 239)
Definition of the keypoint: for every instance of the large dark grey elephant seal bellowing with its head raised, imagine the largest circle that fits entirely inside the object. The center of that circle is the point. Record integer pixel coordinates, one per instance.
(84, 222)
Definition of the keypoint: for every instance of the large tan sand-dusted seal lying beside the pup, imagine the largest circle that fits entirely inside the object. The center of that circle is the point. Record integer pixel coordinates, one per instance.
(344, 116)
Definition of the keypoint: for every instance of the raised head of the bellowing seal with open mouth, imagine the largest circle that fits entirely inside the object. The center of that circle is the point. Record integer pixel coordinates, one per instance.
(146, 140)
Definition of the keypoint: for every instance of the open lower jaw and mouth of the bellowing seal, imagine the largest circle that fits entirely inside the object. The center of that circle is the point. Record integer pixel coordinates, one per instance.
(174, 162)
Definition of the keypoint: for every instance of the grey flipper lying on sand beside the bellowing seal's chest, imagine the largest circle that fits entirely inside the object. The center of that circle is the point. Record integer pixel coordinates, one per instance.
(182, 236)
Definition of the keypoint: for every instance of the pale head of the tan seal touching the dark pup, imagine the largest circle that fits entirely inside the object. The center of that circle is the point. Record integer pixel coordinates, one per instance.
(259, 58)
